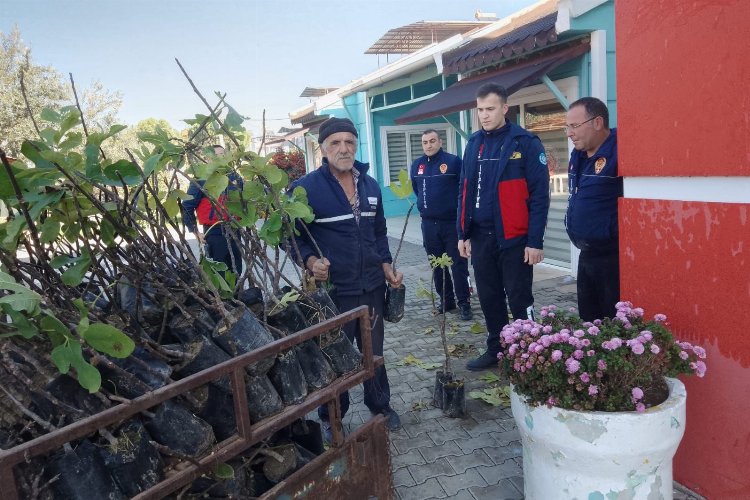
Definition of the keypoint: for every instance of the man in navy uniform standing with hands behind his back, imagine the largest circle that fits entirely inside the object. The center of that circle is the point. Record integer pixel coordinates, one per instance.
(434, 178)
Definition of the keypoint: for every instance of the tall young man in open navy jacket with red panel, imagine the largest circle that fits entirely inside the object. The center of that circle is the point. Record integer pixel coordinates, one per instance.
(502, 214)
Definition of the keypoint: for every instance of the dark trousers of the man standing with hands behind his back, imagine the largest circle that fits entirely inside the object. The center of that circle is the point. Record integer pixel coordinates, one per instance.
(439, 237)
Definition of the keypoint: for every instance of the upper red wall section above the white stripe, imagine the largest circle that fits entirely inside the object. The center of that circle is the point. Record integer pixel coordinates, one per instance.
(683, 72)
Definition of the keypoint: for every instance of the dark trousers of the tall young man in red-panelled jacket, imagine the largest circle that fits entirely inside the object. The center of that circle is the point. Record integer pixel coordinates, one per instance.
(500, 272)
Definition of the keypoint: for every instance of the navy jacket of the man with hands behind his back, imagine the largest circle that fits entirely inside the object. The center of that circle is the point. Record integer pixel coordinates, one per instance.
(435, 182)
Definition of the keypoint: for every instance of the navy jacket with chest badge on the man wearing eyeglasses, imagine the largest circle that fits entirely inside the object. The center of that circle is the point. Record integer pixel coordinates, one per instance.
(595, 186)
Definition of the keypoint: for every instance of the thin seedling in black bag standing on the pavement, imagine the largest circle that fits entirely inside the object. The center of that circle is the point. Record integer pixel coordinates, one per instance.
(448, 393)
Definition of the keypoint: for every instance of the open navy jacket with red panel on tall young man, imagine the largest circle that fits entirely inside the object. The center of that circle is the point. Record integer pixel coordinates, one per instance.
(516, 170)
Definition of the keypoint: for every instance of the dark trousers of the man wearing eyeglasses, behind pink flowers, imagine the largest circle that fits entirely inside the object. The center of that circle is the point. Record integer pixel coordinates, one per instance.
(598, 284)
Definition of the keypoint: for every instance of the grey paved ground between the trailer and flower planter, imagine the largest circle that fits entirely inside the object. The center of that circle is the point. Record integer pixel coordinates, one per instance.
(433, 456)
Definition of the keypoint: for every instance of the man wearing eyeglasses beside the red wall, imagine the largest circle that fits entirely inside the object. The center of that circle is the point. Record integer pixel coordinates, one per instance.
(591, 220)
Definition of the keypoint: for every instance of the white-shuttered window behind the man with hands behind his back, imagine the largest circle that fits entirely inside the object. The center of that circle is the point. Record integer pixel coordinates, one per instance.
(402, 145)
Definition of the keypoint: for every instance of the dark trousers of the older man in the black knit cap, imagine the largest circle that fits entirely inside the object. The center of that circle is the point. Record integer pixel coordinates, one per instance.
(377, 391)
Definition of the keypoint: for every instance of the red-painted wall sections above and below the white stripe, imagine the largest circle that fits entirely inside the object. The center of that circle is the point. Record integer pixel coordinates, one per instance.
(683, 68)
